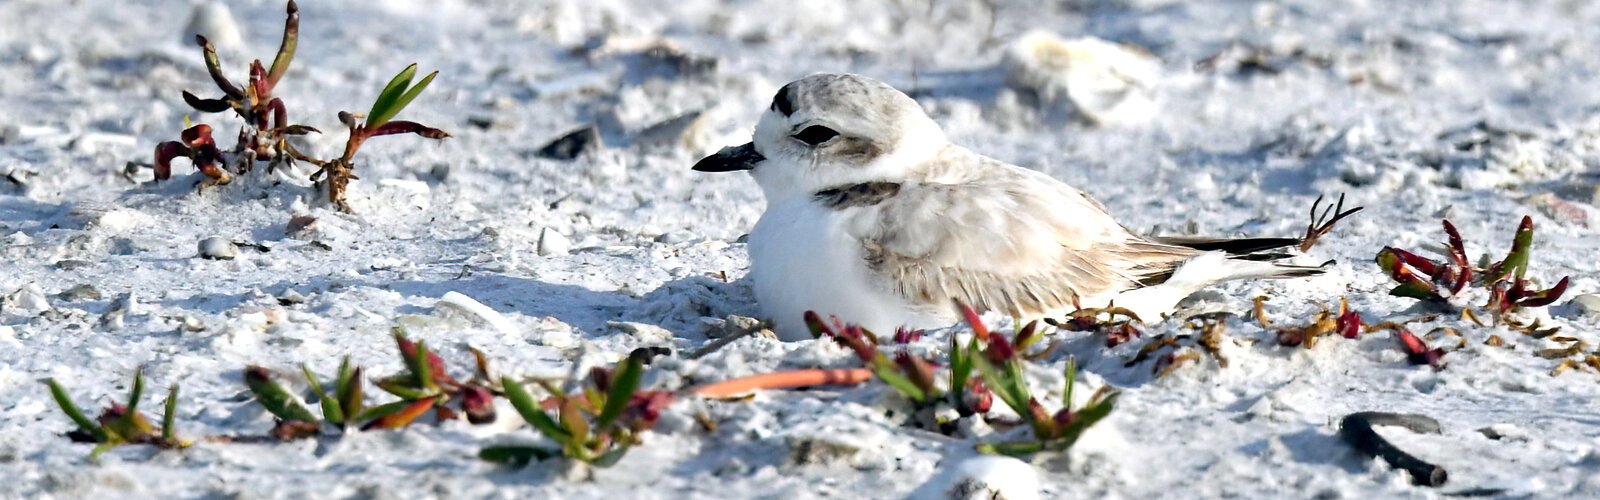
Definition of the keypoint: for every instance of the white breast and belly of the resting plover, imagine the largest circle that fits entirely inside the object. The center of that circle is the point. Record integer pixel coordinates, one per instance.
(804, 260)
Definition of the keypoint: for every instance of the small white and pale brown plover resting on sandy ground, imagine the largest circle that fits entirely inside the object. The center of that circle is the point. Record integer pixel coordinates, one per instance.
(874, 217)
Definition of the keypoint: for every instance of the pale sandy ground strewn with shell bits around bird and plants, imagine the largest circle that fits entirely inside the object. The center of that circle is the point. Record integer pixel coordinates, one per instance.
(1473, 111)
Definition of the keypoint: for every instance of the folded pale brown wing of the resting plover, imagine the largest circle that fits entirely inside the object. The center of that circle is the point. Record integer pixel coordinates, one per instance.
(1002, 238)
